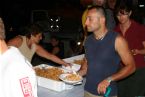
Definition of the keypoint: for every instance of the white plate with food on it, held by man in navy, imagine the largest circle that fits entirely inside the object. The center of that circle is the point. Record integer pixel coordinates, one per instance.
(71, 78)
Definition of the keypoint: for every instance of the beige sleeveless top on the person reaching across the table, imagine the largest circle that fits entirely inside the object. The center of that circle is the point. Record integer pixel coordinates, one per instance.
(26, 51)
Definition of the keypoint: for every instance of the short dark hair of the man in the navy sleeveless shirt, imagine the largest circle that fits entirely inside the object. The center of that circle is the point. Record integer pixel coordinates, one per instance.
(99, 9)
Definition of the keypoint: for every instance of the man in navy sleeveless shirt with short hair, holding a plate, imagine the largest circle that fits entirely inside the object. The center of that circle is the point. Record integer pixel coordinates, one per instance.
(104, 50)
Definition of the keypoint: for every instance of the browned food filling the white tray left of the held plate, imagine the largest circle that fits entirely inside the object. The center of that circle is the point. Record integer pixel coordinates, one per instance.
(51, 73)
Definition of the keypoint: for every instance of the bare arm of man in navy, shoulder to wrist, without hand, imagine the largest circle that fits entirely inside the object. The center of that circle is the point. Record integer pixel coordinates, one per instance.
(123, 50)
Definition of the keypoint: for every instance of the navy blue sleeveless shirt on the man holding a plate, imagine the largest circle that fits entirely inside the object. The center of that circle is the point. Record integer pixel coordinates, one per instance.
(103, 61)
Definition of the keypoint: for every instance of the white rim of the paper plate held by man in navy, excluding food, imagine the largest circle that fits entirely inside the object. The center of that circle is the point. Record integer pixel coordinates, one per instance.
(63, 78)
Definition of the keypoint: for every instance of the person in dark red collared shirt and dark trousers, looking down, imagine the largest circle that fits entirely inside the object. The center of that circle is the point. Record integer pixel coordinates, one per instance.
(134, 33)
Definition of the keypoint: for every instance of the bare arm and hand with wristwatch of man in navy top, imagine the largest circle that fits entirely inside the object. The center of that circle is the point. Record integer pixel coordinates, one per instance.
(122, 48)
